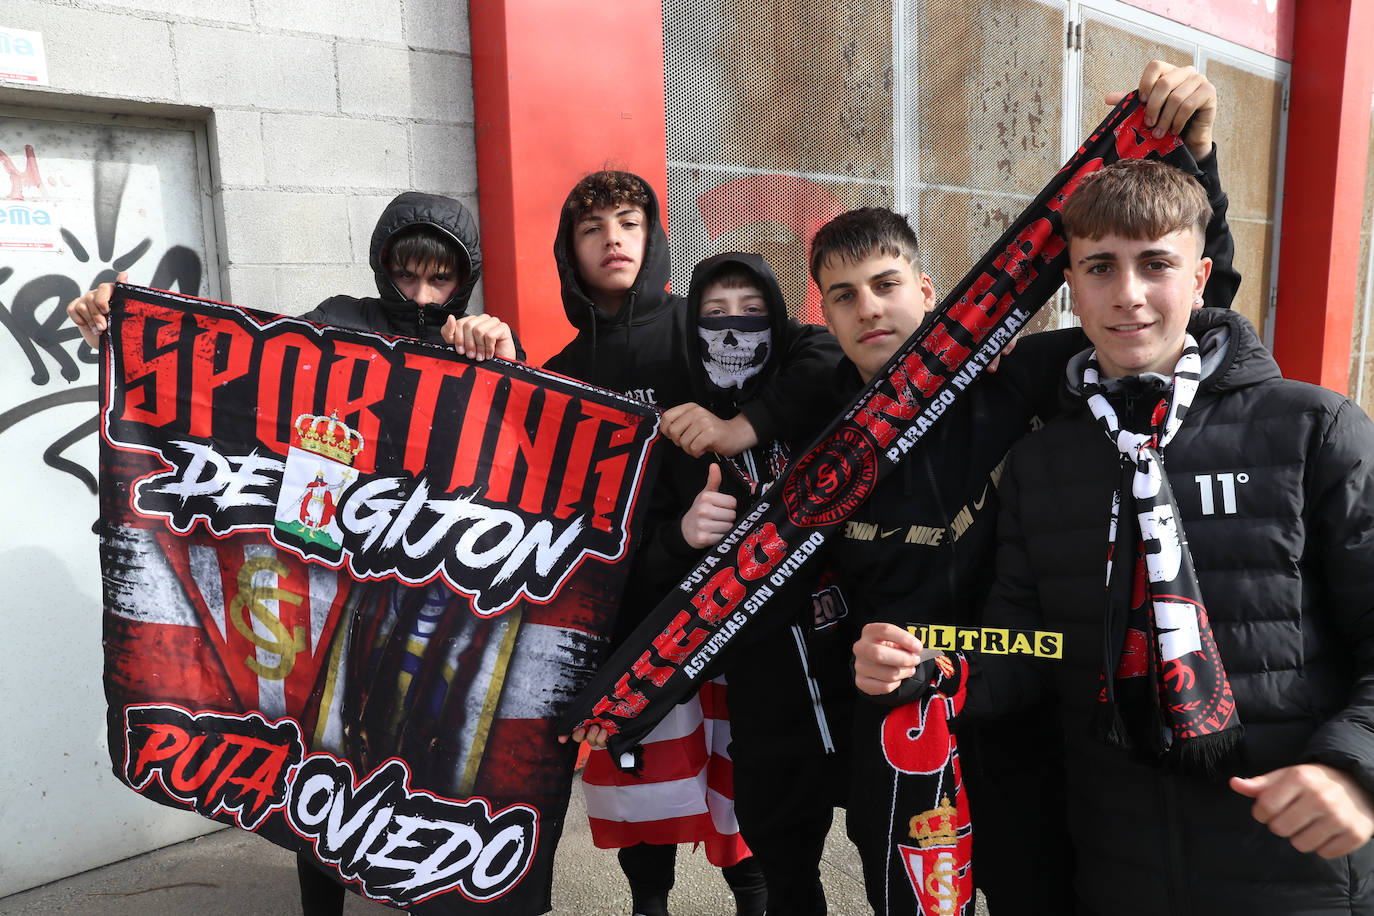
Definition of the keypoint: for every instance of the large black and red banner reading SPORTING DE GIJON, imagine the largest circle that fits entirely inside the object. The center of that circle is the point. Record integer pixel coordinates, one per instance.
(350, 584)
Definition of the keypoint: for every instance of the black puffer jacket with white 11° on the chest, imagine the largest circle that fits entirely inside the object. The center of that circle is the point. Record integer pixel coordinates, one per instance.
(1276, 485)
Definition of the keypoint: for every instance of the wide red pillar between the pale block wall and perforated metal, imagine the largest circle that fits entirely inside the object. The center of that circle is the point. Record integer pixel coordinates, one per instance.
(561, 89)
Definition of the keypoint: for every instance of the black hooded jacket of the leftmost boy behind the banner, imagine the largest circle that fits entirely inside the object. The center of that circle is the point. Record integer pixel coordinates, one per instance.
(394, 314)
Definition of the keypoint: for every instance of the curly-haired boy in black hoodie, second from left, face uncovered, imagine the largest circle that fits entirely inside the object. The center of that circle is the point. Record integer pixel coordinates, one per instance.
(634, 337)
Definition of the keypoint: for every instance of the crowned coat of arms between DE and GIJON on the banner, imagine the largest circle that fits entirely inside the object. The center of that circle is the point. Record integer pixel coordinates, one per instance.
(319, 469)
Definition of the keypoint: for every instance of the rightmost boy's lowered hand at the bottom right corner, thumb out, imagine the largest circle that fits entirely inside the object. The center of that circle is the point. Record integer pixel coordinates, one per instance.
(1318, 808)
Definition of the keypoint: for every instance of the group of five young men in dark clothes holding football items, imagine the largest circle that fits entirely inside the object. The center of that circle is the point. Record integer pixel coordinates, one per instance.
(1207, 741)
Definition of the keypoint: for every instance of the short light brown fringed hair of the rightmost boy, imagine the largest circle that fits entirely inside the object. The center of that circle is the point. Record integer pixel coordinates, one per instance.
(1137, 200)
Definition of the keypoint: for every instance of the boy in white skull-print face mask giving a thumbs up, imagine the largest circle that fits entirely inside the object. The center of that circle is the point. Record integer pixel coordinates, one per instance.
(788, 774)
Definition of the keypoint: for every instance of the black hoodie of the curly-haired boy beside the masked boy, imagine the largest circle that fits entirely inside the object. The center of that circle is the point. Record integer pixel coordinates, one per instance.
(649, 348)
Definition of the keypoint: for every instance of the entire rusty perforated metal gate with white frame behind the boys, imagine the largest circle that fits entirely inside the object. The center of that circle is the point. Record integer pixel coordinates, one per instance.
(785, 113)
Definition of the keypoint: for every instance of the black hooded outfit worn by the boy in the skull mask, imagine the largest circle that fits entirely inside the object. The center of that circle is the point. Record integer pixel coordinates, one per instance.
(788, 770)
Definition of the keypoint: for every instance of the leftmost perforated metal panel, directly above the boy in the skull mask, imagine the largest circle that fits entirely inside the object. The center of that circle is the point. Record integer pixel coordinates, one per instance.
(780, 117)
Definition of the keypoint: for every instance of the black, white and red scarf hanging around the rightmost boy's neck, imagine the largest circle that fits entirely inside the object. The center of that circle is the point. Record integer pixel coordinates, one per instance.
(1164, 689)
